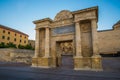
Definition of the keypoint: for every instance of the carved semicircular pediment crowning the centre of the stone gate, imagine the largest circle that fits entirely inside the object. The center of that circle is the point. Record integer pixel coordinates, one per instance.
(64, 14)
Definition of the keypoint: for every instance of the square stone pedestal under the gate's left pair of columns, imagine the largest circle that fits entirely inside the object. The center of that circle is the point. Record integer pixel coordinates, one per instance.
(41, 62)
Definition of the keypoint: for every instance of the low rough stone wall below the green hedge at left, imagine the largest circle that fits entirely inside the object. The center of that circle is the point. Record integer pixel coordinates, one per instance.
(16, 55)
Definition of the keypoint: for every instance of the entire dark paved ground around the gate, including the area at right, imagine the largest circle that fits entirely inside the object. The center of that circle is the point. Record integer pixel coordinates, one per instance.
(11, 71)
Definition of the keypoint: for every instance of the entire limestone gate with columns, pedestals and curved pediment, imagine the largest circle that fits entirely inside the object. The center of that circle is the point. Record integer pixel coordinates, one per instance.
(70, 33)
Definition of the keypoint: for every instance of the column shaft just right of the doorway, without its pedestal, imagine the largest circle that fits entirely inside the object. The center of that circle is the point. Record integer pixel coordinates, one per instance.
(78, 39)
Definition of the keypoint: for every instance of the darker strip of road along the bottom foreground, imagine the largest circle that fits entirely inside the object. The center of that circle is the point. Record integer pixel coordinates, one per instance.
(27, 73)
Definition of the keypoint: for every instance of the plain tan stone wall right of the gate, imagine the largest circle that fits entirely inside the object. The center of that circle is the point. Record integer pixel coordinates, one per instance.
(109, 41)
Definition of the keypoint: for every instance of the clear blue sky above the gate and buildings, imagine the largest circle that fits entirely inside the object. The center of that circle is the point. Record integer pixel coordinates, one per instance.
(19, 14)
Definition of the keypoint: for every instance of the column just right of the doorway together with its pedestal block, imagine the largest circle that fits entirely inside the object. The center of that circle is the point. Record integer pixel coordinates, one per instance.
(78, 59)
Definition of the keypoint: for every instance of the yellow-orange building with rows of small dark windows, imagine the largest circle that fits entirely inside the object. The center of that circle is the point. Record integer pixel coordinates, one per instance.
(8, 34)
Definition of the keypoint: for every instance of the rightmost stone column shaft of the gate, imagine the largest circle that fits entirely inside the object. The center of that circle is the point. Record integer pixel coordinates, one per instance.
(94, 37)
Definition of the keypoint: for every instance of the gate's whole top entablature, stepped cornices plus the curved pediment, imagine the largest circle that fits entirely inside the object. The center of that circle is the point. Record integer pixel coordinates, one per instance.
(67, 19)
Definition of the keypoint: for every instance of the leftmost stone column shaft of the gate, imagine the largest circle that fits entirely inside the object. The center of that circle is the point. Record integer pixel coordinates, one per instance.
(37, 43)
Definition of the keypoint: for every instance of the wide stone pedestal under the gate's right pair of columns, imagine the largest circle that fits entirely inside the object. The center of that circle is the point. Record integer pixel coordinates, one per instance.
(88, 63)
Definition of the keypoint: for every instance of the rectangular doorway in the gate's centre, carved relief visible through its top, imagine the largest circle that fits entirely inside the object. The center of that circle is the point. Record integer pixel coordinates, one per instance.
(64, 54)
